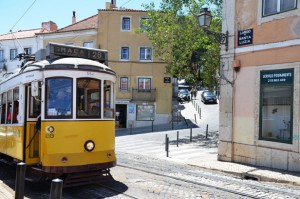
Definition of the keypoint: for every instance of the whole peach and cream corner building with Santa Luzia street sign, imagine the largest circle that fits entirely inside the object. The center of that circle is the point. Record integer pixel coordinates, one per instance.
(260, 91)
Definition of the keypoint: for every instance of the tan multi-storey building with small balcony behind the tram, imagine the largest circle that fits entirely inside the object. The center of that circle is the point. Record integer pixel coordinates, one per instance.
(144, 91)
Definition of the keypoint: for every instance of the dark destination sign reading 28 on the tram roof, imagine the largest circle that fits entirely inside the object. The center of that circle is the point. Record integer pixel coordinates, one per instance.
(55, 51)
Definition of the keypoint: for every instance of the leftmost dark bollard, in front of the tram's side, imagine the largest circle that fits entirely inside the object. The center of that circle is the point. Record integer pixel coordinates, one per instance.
(20, 178)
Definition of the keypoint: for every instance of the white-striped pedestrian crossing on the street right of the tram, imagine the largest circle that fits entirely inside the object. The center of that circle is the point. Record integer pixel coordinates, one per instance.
(185, 152)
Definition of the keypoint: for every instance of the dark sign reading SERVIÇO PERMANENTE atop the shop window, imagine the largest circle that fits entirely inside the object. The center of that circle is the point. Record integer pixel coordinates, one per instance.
(282, 76)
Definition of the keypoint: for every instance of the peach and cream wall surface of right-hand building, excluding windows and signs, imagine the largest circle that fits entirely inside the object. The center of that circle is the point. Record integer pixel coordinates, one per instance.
(275, 46)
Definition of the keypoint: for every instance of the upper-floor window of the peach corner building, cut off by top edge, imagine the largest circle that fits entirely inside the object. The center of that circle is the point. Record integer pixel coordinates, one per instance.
(271, 7)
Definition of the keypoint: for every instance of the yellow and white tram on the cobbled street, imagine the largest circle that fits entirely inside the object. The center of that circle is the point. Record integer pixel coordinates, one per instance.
(57, 115)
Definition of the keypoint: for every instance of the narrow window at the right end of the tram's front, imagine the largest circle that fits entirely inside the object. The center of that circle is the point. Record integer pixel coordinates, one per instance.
(108, 99)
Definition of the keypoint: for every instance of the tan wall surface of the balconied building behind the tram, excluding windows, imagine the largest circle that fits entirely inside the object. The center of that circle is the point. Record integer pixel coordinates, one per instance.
(112, 38)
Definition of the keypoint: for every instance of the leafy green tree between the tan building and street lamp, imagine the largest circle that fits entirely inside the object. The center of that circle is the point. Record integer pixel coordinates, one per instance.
(178, 40)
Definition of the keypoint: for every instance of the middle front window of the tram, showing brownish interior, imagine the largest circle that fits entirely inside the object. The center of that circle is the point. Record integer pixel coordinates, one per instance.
(88, 98)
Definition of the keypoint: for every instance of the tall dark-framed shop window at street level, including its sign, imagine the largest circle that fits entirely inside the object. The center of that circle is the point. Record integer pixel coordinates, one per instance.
(276, 105)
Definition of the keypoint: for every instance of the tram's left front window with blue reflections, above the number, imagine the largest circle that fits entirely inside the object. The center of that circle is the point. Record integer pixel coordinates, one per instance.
(59, 97)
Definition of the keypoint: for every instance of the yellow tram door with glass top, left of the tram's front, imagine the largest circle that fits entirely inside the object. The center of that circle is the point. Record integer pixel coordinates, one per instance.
(33, 111)
